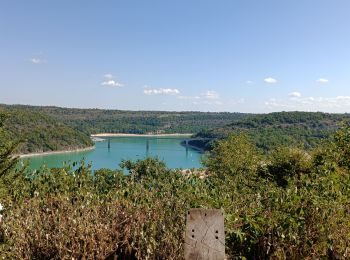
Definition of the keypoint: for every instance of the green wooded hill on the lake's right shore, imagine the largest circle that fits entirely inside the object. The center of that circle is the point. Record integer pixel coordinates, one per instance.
(305, 129)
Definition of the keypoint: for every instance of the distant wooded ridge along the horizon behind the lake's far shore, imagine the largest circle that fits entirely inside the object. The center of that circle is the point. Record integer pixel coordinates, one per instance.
(92, 121)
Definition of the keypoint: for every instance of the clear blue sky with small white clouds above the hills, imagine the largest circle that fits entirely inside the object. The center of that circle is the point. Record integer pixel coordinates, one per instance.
(253, 56)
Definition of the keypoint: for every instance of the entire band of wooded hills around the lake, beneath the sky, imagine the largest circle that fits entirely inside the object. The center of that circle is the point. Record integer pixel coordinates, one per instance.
(53, 128)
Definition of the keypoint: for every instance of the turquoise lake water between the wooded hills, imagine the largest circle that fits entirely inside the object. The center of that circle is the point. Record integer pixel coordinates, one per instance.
(168, 149)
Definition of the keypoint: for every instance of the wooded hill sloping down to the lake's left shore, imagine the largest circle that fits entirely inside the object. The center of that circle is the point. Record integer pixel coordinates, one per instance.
(38, 132)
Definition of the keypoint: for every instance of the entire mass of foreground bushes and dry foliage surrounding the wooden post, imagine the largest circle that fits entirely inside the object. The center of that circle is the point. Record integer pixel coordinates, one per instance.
(287, 204)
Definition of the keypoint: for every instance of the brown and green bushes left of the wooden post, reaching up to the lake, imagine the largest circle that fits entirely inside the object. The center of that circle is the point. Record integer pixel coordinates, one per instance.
(71, 213)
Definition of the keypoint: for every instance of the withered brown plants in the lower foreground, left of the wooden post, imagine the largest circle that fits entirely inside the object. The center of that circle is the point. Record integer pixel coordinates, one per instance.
(56, 228)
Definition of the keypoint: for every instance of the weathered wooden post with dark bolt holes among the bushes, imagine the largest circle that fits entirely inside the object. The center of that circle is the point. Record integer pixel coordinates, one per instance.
(205, 235)
